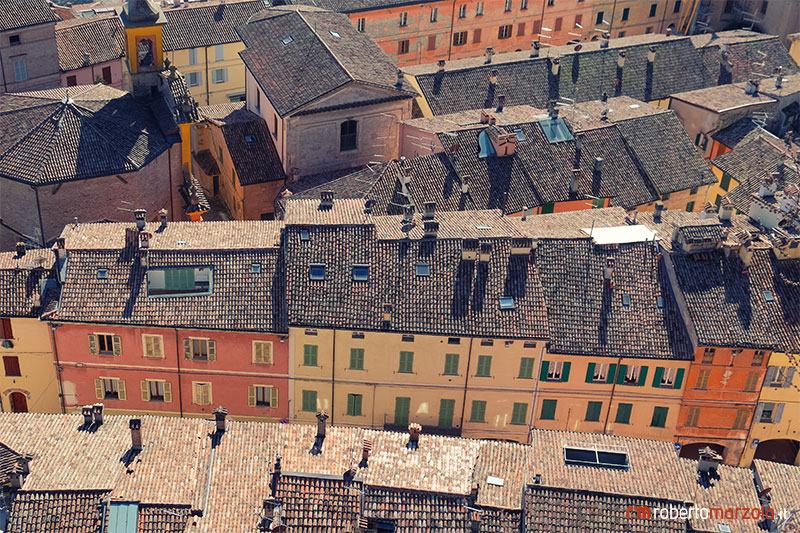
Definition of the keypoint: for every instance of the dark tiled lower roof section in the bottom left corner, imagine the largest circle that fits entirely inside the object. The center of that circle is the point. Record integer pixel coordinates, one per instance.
(65, 511)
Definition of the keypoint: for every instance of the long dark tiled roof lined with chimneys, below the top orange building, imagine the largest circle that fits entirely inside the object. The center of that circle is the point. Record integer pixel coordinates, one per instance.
(583, 75)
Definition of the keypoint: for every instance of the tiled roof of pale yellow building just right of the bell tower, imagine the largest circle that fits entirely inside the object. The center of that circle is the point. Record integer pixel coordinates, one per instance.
(196, 25)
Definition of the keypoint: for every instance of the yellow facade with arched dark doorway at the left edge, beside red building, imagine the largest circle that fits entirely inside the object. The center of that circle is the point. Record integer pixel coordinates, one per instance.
(28, 382)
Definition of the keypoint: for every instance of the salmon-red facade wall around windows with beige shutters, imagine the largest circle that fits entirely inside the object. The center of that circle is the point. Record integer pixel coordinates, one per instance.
(230, 374)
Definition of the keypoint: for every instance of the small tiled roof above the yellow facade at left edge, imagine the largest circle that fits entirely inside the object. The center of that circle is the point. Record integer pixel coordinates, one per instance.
(22, 279)
